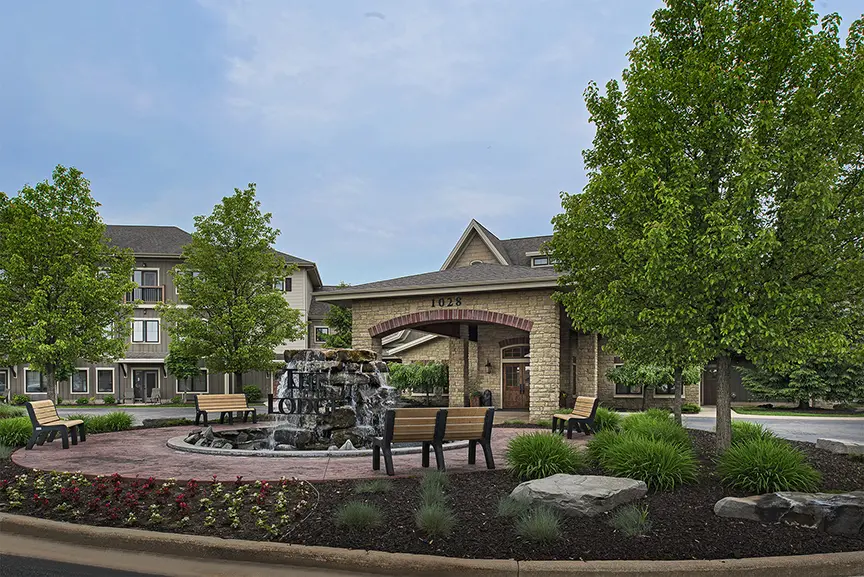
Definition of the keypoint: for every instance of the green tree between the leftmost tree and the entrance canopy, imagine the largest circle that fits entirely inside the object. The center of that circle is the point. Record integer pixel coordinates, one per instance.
(231, 315)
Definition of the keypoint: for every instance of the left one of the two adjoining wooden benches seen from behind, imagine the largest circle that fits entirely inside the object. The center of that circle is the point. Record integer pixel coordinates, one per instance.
(410, 425)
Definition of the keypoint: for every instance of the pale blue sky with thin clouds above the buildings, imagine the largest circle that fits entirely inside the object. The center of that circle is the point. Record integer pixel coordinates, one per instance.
(374, 129)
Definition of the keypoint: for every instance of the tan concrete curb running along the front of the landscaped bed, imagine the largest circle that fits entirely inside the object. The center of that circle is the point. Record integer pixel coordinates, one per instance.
(847, 564)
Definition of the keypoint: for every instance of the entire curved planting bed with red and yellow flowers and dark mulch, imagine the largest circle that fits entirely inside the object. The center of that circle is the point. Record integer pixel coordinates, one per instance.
(682, 523)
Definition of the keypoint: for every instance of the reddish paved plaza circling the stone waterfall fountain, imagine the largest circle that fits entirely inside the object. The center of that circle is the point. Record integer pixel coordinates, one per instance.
(144, 453)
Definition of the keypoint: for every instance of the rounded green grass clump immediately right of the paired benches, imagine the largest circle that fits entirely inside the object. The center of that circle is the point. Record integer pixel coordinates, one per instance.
(540, 455)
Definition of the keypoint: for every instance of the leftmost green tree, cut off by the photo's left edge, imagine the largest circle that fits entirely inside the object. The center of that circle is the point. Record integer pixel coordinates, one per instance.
(62, 284)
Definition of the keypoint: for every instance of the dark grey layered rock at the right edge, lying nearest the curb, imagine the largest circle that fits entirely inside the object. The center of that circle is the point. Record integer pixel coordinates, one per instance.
(833, 513)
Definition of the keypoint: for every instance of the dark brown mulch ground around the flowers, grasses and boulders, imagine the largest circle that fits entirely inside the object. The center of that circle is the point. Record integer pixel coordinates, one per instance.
(684, 524)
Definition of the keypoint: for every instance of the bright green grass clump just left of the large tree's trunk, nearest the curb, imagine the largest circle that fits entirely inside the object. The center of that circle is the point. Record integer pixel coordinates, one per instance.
(662, 465)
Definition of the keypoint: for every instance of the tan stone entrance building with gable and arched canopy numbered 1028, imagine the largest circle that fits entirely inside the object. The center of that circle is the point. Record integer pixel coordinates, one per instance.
(490, 315)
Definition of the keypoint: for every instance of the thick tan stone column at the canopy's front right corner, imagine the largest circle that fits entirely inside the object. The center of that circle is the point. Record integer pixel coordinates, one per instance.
(545, 343)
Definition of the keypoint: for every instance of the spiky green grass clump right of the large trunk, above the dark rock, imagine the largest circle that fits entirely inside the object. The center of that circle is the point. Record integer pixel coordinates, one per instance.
(762, 466)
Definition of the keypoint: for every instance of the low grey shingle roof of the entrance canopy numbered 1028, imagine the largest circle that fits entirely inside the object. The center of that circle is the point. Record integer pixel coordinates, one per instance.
(478, 273)
